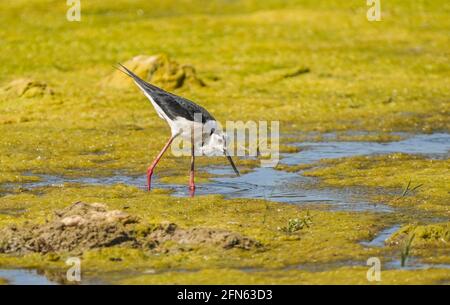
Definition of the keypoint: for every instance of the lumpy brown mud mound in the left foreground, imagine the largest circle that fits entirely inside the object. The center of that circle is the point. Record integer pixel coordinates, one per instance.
(82, 227)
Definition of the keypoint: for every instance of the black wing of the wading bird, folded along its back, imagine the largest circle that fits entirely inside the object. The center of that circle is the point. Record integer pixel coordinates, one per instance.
(173, 106)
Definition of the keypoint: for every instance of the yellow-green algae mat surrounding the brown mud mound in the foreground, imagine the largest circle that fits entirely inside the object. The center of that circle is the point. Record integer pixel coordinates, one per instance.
(259, 220)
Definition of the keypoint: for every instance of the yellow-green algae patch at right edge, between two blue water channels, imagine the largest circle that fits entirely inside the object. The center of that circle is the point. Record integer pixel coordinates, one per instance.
(393, 171)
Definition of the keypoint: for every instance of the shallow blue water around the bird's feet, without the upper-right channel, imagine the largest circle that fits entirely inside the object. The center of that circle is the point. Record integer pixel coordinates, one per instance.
(281, 187)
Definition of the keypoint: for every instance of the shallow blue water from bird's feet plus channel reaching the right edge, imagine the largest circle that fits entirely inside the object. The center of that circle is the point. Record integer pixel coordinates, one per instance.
(281, 186)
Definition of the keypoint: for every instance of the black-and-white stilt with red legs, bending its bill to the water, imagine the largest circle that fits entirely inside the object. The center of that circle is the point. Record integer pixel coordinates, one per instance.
(183, 117)
